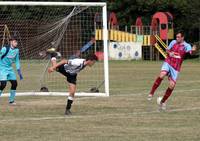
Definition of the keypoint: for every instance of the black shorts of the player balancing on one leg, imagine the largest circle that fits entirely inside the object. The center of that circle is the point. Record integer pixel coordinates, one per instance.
(70, 78)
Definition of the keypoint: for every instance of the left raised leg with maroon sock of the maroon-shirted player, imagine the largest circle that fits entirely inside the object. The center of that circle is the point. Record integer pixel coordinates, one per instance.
(156, 84)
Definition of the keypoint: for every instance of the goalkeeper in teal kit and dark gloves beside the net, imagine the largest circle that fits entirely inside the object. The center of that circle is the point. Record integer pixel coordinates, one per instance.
(9, 55)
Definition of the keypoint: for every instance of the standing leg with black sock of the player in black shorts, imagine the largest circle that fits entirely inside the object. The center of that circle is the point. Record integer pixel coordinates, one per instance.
(72, 90)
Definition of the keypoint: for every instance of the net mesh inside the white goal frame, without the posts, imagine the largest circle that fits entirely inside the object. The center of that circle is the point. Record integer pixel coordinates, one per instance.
(66, 28)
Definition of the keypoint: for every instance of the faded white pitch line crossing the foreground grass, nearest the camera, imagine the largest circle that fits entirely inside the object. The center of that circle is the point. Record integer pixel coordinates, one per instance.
(129, 115)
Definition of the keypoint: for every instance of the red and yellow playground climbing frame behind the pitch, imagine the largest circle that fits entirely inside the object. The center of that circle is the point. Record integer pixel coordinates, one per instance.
(154, 38)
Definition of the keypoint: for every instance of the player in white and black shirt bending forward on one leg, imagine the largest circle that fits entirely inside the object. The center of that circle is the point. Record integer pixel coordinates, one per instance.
(70, 68)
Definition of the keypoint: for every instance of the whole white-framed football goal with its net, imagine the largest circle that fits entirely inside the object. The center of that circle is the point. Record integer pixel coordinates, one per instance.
(70, 28)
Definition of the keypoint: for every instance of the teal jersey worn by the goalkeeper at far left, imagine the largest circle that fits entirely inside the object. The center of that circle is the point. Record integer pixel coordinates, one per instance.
(10, 58)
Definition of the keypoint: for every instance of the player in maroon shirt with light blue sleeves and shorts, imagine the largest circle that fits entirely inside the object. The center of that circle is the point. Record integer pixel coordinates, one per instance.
(176, 51)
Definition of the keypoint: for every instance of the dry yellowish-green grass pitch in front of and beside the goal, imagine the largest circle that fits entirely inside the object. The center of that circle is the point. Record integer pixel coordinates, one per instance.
(124, 116)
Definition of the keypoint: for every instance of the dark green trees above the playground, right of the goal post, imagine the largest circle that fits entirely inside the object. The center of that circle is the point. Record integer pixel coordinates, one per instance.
(185, 12)
